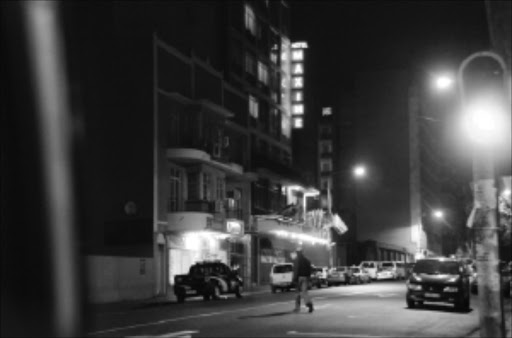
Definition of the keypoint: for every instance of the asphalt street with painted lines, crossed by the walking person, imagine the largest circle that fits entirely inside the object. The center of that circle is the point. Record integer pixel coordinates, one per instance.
(371, 310)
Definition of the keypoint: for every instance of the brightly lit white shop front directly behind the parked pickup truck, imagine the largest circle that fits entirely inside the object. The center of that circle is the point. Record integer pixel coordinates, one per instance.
(198, 237)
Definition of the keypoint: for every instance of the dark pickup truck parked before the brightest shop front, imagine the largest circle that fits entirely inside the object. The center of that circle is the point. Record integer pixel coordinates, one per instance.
(209, 279)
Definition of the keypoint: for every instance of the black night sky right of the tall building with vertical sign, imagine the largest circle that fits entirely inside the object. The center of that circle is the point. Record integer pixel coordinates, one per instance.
(345, 37)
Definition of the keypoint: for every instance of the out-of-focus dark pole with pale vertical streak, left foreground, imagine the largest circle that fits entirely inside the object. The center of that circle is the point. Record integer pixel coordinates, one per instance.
(40, 284)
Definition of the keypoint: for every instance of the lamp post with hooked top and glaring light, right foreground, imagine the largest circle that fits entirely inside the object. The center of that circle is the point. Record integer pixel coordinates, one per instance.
(485, 209)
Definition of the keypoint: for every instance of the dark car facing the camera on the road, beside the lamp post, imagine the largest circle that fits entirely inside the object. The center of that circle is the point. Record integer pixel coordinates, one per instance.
(439, 280)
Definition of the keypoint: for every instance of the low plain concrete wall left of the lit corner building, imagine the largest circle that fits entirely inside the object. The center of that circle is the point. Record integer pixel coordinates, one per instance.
(113, 279)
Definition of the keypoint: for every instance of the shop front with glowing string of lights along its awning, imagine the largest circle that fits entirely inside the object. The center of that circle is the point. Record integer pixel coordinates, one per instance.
(275, 239)
